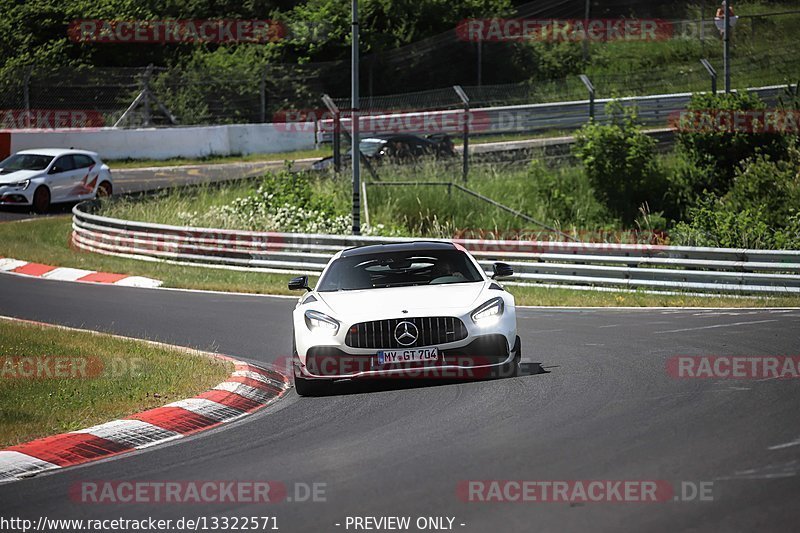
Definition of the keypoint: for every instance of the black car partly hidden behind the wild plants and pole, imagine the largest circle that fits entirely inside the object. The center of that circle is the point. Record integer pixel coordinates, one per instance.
(397, 148)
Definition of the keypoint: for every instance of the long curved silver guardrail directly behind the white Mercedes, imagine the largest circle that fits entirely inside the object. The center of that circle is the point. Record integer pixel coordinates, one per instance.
(644, 266)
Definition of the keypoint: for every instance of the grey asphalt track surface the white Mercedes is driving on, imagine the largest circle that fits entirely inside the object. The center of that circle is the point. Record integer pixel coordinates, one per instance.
(605, 409)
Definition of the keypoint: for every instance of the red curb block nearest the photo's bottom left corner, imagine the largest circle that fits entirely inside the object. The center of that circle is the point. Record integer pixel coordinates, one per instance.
(69, 449)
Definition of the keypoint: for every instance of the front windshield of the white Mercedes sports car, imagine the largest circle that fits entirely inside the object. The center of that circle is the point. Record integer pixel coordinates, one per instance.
(399, 269)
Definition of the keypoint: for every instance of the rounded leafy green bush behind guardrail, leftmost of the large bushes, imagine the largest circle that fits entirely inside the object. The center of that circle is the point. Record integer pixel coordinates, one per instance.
(620, 161)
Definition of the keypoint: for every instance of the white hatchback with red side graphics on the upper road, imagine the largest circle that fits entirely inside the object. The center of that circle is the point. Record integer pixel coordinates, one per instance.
(40, 177)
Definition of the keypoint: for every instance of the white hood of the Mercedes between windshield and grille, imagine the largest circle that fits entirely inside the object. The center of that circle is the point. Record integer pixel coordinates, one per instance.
(426, 300)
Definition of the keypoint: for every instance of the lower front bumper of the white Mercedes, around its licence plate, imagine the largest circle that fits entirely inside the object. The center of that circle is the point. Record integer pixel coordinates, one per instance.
(476, 358)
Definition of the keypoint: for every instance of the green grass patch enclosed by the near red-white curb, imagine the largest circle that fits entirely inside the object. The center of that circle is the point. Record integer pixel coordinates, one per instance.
(122, 377)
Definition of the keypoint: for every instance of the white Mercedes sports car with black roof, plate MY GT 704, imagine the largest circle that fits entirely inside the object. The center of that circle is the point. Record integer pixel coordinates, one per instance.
(414, 310)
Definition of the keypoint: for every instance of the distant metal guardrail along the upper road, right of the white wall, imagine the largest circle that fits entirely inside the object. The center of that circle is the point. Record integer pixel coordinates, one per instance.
(654, 110)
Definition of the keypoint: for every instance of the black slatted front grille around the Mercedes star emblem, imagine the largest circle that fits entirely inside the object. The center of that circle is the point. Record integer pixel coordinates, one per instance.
(431, 331)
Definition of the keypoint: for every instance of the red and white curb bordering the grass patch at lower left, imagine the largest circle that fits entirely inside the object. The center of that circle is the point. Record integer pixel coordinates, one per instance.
(248, 389)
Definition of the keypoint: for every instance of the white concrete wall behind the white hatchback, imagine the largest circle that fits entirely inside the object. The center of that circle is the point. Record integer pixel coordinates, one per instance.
(165, 143)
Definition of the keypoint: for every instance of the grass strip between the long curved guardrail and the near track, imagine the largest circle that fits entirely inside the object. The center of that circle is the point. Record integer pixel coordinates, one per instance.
(51, 238)
